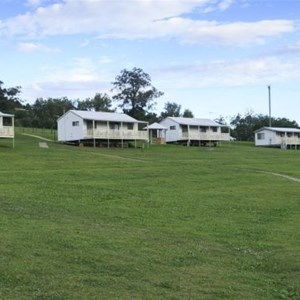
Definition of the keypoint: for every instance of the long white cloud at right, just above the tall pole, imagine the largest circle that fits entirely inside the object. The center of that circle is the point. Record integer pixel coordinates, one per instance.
(229, 73)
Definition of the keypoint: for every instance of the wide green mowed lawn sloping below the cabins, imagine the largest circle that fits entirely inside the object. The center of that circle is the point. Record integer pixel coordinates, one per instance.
(166, 222)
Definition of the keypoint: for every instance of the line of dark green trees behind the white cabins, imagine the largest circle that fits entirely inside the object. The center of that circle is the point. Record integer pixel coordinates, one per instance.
(133, 94)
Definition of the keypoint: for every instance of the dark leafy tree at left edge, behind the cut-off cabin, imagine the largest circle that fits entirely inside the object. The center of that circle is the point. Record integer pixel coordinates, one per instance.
(9, 98)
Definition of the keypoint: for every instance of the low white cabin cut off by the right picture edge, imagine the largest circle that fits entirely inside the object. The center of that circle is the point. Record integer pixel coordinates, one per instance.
(287, 138)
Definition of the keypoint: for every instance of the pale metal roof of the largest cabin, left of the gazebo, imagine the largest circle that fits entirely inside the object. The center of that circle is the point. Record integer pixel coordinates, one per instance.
(105, 116)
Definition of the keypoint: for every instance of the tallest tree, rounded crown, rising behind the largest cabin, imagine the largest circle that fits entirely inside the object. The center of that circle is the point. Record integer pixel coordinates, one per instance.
(135, 93)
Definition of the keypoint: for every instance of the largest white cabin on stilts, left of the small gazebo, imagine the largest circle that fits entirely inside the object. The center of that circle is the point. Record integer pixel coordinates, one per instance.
(100, 128)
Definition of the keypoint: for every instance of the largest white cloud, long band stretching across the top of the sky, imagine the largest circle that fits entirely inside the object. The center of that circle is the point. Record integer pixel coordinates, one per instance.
(142, 19)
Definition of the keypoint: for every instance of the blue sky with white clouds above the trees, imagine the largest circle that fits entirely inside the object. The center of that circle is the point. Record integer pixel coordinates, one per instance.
(213, 57)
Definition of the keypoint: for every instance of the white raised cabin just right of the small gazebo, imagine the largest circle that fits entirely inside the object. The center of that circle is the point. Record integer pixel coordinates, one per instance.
(193, 131)
